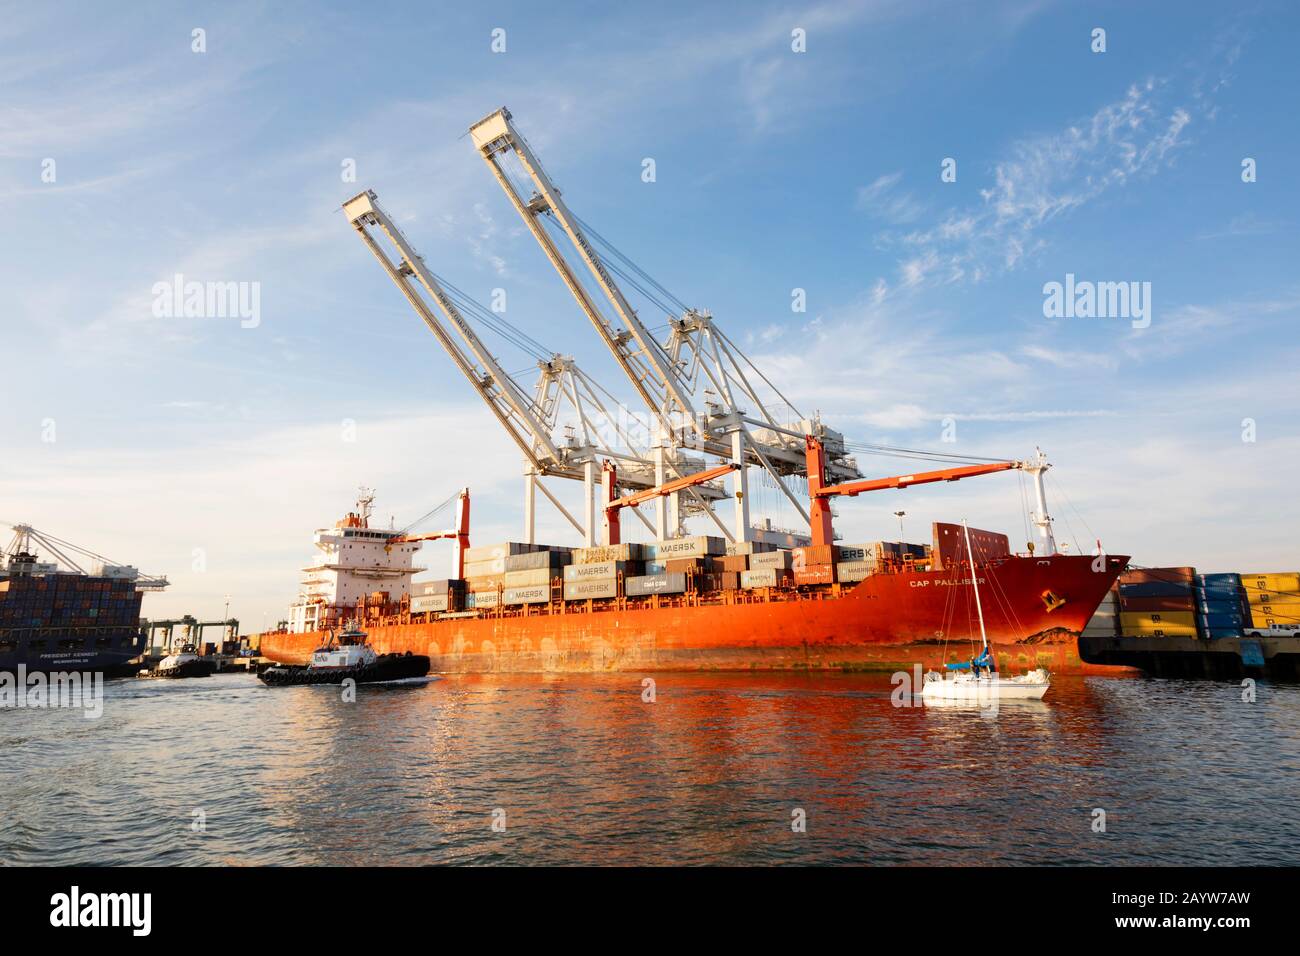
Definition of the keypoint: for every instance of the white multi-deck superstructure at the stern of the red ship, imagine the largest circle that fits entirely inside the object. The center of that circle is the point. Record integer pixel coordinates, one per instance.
(354, 561)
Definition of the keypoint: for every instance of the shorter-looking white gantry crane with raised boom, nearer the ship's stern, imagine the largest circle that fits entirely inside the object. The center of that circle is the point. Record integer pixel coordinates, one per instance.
(565, 429)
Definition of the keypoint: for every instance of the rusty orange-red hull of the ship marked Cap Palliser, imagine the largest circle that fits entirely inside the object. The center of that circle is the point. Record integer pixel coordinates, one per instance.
(887, 622)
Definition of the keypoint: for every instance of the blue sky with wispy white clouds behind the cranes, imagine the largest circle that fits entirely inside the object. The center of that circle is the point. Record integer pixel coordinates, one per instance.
(821, 171)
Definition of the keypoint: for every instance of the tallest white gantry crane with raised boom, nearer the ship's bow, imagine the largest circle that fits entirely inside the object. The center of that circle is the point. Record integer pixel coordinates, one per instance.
(699, 386)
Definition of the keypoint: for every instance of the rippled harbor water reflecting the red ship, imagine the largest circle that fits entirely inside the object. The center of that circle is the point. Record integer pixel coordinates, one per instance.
(717, 769)
